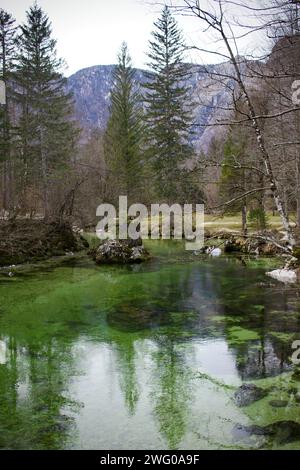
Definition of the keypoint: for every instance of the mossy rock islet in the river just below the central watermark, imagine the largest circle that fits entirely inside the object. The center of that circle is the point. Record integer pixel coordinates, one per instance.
(120, 252)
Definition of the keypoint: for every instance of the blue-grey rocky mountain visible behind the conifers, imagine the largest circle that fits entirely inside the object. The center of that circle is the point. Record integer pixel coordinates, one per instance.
(91, 90)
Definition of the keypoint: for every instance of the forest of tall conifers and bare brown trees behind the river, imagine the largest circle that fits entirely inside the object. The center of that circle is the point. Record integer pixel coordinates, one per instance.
(146, 151)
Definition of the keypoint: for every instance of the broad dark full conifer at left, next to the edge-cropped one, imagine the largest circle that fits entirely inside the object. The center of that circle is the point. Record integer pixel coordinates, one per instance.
(46, 129)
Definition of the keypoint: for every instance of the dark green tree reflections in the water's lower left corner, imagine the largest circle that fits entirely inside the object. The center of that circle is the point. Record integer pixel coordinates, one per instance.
(33, 390)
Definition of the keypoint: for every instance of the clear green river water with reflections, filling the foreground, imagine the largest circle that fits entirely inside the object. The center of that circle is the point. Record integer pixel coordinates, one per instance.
(146, 356)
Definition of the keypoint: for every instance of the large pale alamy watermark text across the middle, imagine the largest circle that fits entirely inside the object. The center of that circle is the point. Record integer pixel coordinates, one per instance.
(161, 221)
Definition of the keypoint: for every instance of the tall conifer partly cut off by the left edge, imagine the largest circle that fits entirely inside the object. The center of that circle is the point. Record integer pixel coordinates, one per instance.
(7, 54)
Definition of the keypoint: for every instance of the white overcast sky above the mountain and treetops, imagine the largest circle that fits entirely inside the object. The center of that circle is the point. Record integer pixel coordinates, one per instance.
(90, 32)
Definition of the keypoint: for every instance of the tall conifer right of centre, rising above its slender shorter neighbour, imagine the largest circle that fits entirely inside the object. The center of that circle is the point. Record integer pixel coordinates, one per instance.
(169, 109)
